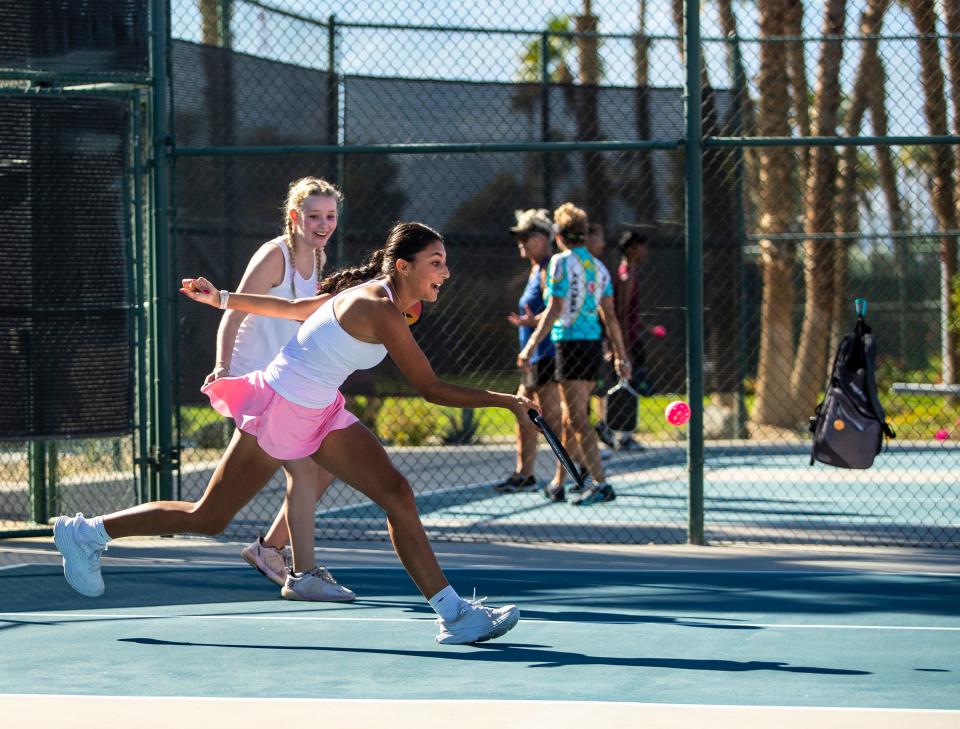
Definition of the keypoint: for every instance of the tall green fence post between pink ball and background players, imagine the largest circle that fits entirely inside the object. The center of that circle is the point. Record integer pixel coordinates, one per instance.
(693, 164)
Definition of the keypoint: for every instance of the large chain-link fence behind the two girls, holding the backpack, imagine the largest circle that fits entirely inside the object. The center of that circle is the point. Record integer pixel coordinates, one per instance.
(827, 173)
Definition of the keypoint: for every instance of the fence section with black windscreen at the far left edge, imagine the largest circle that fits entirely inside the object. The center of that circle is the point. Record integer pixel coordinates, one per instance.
(71, 246)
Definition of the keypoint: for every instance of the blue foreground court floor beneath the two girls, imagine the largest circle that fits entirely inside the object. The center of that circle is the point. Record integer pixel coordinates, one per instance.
(668, 636)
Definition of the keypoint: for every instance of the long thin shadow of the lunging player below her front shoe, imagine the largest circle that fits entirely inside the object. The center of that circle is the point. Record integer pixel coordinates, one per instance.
(534, 656)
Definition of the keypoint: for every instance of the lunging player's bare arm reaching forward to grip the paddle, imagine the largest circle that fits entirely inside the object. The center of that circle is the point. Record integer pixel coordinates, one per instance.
(392, 330)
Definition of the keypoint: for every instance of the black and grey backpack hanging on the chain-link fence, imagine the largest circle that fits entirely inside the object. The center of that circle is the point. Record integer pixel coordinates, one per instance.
(849, 424)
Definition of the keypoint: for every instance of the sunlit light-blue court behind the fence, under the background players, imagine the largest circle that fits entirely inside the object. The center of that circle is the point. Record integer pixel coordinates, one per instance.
(911, 495)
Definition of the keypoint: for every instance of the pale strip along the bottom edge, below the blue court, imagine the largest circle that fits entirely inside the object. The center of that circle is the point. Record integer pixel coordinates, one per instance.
(42, 711)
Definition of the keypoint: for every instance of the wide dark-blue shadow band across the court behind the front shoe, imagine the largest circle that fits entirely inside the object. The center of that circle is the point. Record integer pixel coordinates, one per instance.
(588, 596)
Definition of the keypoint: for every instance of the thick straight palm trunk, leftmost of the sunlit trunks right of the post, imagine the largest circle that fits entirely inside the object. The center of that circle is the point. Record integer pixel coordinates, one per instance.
(774, 405)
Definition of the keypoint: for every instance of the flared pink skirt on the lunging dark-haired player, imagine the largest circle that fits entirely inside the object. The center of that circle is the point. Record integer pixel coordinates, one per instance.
(283, 429)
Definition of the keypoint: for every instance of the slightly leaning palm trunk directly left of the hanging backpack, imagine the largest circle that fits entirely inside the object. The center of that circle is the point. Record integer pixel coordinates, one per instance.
(819, 254)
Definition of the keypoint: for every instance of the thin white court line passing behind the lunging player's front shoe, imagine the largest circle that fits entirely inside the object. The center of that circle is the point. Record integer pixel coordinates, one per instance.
(528, 621)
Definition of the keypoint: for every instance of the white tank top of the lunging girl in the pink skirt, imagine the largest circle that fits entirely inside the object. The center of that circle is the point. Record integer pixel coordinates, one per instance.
(313, 365)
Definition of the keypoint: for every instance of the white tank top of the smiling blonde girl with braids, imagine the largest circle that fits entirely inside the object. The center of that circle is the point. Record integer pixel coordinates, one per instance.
(261, 337)
